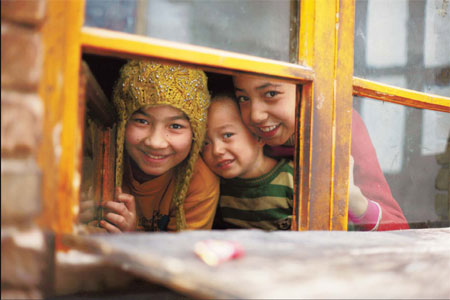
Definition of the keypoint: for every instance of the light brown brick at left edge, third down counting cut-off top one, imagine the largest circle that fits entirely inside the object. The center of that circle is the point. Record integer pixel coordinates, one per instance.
(21, 123)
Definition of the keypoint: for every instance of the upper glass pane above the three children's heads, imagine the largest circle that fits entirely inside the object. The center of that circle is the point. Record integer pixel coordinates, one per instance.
(261, 28)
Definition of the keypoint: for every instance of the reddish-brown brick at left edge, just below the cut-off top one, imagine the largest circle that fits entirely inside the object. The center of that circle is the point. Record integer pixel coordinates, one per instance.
(21, 57)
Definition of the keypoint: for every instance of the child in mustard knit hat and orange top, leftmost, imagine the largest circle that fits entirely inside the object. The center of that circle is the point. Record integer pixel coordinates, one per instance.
(162, 112)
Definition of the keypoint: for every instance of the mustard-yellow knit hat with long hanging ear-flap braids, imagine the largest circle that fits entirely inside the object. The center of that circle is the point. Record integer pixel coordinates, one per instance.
(142, 83)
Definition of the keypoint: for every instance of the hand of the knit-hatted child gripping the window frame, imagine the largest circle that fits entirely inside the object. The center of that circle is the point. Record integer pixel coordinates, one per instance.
(120, 213)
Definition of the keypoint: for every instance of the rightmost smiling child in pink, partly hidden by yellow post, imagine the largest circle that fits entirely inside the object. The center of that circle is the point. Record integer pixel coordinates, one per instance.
(268, 108)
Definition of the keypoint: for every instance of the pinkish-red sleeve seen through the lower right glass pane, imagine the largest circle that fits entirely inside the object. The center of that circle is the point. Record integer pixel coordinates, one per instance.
(370, 179)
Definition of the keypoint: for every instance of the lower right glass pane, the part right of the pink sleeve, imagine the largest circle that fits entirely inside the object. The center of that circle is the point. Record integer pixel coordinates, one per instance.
(413, 149)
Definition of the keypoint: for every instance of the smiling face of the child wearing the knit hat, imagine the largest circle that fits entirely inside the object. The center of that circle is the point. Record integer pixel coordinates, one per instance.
(158, 138)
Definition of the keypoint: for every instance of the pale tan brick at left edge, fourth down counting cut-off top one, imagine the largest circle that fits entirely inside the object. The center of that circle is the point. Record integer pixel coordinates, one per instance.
(20, 190)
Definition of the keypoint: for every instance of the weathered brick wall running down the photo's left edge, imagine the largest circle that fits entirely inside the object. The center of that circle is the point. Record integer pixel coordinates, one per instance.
(27, 252)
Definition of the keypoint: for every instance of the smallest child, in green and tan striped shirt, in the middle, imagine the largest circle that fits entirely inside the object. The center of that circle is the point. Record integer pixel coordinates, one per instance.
(256, 190)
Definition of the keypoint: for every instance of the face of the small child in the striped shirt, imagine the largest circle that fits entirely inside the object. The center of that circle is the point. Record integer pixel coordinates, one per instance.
(230, 149)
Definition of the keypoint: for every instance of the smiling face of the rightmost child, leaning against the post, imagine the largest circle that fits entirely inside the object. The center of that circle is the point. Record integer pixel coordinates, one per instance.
(267, 107)
